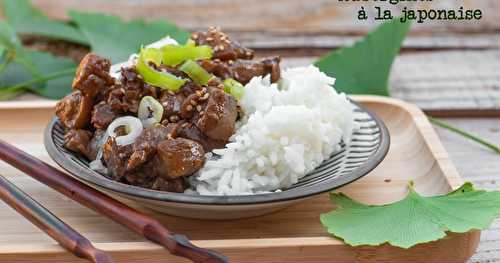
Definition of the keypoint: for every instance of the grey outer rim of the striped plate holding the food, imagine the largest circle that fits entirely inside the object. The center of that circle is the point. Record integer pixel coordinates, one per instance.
(284, 196)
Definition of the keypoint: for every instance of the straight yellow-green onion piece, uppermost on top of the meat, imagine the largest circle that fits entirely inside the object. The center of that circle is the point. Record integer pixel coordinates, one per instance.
(176, 54)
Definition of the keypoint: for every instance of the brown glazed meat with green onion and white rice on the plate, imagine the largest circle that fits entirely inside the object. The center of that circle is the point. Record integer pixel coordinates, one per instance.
(203, 117)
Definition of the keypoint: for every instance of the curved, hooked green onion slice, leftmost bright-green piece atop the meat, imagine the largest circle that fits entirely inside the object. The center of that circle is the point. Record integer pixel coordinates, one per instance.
(153, 77)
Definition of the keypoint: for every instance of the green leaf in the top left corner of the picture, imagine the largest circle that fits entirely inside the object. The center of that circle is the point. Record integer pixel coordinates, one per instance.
(26, 19)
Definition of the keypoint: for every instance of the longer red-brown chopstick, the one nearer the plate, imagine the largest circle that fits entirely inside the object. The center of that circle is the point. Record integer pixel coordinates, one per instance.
(119, 212)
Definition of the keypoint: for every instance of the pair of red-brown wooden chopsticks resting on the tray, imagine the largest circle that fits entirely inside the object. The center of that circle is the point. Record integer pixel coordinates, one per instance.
(136, 221)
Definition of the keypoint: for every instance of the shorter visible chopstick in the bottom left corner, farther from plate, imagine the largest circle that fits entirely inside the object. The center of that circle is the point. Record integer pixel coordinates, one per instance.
(66, 236)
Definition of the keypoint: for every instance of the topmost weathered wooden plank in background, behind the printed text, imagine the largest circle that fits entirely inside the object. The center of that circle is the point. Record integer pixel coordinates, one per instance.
(298, 24)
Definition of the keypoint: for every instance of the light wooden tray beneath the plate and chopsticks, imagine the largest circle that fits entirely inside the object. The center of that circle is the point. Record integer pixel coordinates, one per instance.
(292, 235)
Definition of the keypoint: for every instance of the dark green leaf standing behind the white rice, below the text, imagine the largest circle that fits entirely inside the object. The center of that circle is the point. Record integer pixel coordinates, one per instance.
(364, 67)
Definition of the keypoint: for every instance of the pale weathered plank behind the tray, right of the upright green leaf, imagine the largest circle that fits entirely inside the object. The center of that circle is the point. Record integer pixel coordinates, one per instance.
(442, 80)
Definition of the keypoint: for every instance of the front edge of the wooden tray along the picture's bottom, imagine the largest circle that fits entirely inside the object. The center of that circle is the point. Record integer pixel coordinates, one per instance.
(463, 246)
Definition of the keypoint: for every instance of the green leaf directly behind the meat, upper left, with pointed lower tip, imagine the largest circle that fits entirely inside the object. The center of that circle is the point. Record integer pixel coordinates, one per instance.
(111, 37)
